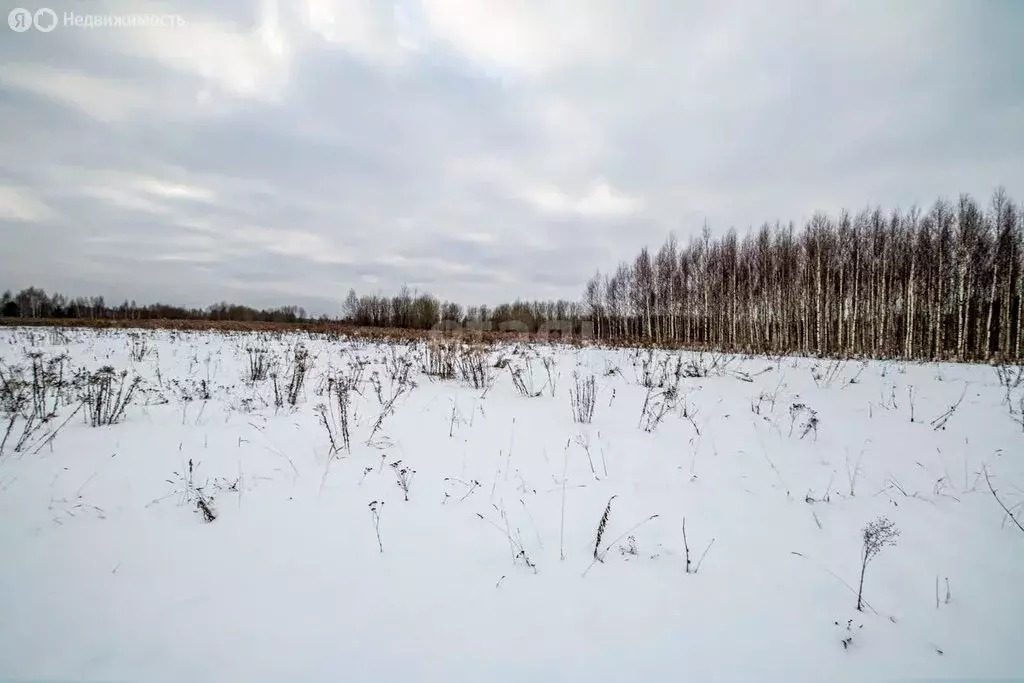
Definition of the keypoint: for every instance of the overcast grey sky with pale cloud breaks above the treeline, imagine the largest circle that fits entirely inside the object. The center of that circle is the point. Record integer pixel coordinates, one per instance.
(282, 152)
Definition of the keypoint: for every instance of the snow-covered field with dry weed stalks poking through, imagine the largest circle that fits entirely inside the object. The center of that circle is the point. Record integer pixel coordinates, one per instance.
(317, 568)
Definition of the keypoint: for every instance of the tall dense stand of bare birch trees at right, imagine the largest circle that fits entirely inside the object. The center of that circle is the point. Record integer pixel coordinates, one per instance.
(944, 284)
